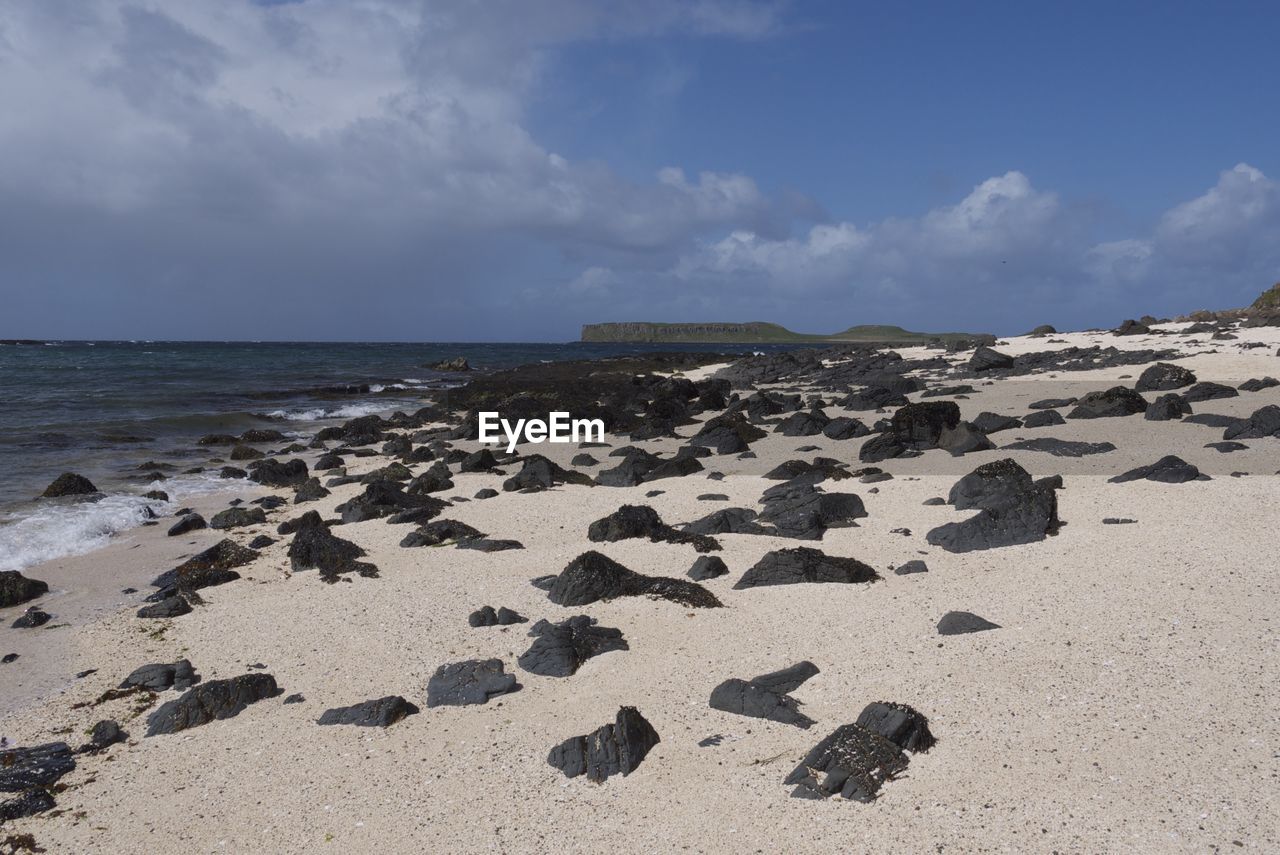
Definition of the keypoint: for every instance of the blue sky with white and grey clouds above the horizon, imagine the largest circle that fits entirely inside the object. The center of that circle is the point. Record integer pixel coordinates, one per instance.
(510, 171)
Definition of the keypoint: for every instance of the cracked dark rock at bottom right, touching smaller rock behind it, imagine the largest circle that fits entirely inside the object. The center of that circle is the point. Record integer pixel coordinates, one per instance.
(853, 762)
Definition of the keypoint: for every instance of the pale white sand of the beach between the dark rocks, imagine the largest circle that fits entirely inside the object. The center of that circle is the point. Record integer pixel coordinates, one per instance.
(1127, 705)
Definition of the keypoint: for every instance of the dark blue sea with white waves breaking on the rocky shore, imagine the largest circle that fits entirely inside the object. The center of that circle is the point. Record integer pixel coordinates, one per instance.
(100, 409)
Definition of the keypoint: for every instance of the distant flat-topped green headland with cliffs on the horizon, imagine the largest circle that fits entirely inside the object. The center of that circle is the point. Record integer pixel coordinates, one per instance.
(761, 333)
